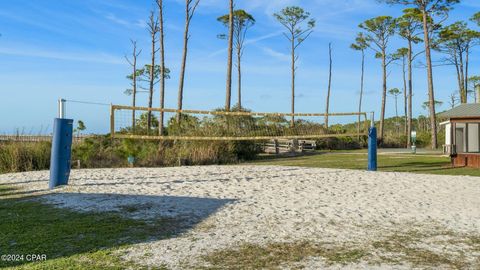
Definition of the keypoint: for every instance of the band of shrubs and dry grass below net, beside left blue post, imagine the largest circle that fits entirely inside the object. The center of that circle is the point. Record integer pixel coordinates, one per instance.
(104, 152)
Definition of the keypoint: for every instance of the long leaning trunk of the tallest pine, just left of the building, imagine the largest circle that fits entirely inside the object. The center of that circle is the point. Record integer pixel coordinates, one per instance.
(431, 93)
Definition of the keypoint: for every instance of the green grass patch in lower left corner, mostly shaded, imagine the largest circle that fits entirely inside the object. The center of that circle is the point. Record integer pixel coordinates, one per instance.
(69, 239)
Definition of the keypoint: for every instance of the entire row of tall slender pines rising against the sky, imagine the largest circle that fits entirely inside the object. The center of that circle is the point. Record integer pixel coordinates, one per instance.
(422, 21)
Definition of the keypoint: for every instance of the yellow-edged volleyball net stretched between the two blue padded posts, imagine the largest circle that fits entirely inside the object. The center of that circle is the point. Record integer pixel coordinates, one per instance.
(143, 123)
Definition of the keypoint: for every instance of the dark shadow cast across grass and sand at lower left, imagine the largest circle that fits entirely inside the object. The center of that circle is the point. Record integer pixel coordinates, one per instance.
(33, 226)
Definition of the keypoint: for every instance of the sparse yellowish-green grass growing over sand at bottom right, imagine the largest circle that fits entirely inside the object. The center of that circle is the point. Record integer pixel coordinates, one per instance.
(426, 249)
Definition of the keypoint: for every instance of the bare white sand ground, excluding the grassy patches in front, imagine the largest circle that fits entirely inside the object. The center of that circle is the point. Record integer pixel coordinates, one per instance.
(225, 206)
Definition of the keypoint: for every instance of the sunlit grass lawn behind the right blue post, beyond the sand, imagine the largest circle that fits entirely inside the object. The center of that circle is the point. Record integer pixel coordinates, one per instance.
(391, 162)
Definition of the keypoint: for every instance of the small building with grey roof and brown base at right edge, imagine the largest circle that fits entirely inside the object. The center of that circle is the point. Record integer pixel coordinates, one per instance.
(462, 135)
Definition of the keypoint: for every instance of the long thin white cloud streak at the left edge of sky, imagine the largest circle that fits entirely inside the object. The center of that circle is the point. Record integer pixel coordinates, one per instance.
(93, 57)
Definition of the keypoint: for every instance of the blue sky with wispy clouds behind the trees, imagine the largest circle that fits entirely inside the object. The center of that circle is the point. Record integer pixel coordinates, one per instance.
(74, 49)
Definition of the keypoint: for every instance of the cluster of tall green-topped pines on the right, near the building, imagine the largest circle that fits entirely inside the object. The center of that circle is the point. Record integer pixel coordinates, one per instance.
(422, 21)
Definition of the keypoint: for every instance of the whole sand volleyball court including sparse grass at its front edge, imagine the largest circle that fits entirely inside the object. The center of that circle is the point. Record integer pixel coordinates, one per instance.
(228, 216)
